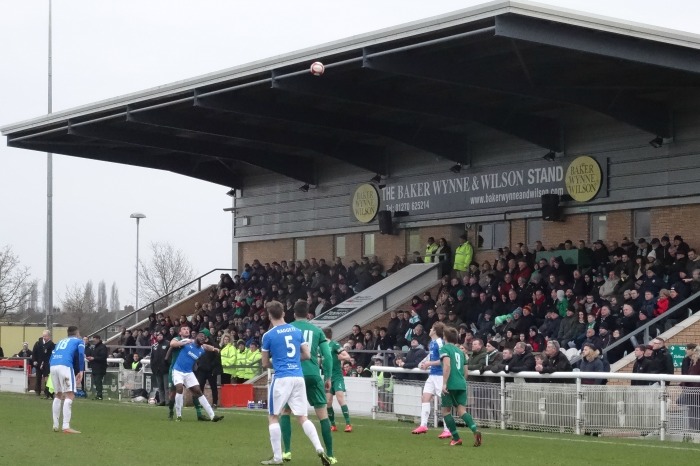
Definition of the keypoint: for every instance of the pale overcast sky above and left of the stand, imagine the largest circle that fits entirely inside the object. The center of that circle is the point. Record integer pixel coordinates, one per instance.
(103, 49)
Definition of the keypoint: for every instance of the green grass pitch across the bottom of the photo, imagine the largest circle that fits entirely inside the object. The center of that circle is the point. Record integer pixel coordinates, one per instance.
(125, 433)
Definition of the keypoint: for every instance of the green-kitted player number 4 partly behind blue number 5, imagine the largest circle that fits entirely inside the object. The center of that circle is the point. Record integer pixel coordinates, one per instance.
(315, 385)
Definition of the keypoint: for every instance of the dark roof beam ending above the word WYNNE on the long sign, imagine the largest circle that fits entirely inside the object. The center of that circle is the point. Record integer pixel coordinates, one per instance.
(443, 143)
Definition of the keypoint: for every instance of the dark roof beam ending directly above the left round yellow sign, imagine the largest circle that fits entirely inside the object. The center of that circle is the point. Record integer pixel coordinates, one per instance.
(368, 157)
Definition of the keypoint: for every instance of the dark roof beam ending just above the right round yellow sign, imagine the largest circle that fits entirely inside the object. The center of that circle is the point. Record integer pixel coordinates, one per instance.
(649, 116)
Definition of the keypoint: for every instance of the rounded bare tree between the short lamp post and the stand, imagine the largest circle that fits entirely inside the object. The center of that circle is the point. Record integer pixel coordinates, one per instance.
(168, 270)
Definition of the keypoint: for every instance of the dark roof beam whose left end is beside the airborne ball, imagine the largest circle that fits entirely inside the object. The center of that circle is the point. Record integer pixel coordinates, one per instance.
(541, 131)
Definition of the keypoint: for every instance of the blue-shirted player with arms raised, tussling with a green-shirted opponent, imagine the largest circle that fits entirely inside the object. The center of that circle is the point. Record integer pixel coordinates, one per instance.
(183, 374)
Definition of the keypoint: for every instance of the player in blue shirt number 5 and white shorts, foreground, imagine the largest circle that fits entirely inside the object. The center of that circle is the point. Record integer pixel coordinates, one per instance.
(283, 349)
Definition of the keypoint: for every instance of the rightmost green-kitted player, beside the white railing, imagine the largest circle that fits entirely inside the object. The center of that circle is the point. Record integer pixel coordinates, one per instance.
(454, 388)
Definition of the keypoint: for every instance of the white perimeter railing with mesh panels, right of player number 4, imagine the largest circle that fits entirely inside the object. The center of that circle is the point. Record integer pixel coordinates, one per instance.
(556, 402)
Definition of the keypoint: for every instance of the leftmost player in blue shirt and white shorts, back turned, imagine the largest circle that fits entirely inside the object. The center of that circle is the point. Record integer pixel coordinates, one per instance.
(67, 366)
